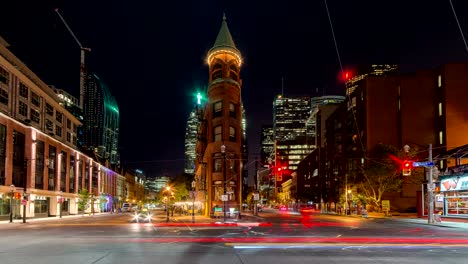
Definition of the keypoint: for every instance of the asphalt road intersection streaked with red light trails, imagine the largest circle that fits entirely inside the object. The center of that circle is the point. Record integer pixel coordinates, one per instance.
(289, 239)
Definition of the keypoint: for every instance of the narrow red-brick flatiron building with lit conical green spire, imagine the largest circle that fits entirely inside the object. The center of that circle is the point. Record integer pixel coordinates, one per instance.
(221, 131)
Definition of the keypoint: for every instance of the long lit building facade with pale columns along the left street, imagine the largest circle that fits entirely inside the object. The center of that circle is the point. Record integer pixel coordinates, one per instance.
(39, 158)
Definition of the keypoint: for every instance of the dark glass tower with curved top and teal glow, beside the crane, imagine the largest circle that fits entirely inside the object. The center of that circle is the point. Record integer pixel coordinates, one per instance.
(101, 121)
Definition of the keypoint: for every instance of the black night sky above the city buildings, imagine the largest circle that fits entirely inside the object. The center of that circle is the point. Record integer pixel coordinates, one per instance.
(152, 54)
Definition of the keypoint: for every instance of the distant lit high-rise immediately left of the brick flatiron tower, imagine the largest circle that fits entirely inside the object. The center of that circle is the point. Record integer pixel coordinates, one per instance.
(191, 132)
